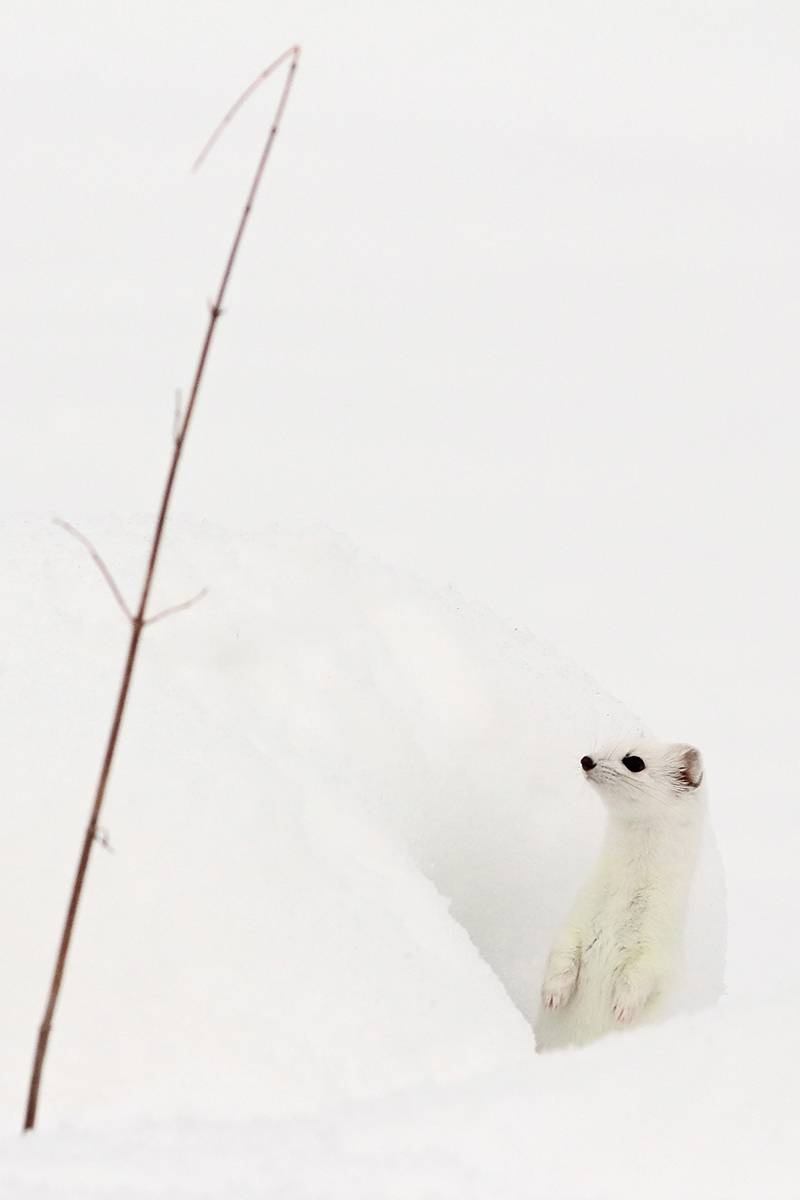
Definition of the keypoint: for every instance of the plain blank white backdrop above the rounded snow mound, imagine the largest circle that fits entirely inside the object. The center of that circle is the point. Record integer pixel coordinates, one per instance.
(518, 310)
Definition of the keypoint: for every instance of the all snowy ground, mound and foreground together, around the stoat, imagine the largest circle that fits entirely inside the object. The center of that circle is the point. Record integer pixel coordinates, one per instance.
(268, 993)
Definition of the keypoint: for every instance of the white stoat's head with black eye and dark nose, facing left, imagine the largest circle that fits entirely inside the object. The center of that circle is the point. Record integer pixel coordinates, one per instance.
(646, 777)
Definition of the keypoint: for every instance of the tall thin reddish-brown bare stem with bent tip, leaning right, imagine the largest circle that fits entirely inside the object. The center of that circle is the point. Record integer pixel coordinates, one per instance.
(139, 620)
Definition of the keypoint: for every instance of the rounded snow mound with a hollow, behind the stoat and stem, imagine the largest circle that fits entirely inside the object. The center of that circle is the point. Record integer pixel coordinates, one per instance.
(347, 818)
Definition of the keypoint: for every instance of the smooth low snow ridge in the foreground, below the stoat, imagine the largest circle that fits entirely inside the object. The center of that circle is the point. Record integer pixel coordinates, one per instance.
(701, 1107)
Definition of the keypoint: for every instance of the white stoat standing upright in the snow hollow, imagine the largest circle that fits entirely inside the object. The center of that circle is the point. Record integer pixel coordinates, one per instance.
(618, 957)
